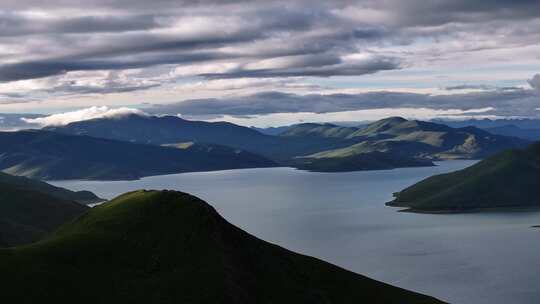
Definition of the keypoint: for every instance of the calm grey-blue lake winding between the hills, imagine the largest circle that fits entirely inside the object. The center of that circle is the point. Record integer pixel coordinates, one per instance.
(473, 258)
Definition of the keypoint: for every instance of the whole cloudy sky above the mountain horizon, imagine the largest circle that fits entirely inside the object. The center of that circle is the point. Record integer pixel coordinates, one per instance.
(269, 63)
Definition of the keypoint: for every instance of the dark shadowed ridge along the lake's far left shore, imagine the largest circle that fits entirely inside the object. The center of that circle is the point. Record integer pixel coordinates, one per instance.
(49, 155)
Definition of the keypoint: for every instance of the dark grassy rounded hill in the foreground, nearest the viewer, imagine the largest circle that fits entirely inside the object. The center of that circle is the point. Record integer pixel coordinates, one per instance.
(170, 247)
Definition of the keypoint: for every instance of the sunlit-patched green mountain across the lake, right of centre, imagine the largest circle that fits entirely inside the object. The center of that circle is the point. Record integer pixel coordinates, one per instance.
(419, 139)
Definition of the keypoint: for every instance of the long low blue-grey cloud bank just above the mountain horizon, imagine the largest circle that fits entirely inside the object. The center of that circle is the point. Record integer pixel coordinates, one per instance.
(522, 102)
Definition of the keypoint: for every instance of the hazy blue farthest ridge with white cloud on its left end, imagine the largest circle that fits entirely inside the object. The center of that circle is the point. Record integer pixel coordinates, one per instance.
(171, 129)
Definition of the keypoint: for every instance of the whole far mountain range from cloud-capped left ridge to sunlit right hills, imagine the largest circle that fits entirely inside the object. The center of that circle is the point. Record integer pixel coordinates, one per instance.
(385, 144)
